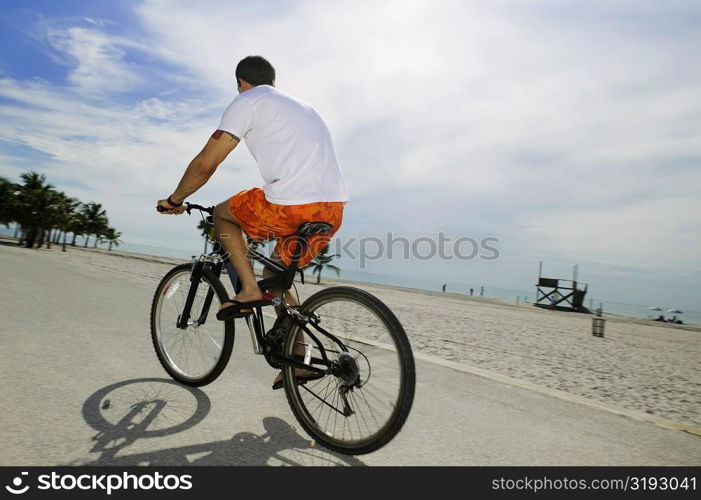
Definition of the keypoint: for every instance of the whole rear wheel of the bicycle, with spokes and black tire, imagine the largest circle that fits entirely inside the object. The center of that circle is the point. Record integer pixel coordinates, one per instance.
(366, 403)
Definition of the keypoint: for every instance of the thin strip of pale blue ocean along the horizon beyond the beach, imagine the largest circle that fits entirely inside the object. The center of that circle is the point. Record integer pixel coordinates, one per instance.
(507, 294)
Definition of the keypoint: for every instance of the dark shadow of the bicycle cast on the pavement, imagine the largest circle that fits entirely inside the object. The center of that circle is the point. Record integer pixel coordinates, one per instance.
(133, 410)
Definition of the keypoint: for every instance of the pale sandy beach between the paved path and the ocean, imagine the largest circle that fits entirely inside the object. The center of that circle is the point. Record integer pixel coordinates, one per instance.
(639, 365)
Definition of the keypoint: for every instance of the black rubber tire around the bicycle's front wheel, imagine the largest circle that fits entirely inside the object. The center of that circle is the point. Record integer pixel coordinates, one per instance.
(228, 341)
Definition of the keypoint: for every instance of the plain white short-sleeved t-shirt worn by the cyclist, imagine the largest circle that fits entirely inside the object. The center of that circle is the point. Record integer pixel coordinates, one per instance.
(291, 145)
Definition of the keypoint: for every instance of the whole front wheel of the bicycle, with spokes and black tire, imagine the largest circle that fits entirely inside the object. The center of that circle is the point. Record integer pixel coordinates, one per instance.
(197, 355)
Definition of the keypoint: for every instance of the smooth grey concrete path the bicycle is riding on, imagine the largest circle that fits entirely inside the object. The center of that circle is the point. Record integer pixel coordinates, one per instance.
(82, 385)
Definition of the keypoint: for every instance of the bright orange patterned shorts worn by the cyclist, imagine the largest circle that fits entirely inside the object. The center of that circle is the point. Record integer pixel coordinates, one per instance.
(263, 221)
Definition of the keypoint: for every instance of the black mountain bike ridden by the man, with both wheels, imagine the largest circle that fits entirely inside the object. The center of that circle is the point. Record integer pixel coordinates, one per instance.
(345, 336)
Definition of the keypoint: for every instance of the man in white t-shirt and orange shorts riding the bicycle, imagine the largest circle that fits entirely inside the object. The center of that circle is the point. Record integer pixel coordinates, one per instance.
(296, 158)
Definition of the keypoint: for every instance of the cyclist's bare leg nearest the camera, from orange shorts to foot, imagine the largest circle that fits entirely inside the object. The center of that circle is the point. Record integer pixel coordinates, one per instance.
(232, 239)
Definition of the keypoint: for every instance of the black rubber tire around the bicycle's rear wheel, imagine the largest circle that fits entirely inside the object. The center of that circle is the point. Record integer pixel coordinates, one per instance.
(407, 375)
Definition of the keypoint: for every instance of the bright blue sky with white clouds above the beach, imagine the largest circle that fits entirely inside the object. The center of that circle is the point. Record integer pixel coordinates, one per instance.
(570, 132)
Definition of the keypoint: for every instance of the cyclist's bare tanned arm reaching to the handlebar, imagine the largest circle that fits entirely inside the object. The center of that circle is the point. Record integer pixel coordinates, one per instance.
(201, 168)
